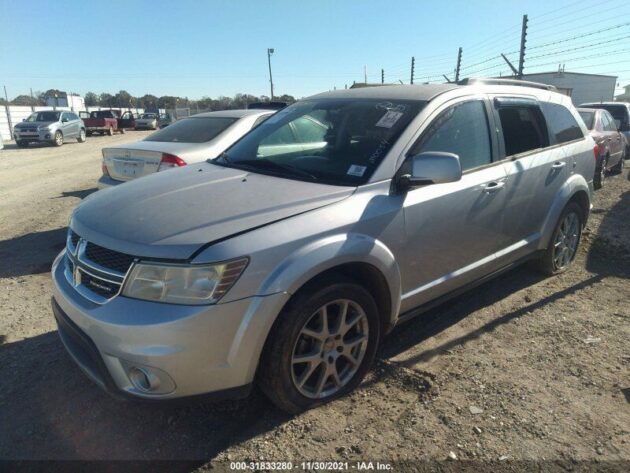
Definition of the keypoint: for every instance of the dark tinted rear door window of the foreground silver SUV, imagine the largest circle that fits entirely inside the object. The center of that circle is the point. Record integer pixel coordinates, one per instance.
(523, 128)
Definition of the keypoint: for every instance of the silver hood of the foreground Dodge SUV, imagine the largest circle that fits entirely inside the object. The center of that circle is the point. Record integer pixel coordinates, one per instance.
(174, 213)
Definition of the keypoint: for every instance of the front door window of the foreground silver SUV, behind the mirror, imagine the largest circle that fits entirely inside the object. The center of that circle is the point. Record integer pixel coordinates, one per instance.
(462, 129)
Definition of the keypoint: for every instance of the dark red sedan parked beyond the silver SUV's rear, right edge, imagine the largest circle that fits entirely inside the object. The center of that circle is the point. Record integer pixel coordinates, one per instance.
(611, 144)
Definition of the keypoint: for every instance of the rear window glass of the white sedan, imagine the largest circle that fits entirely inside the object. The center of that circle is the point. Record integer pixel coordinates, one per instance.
(192, 130)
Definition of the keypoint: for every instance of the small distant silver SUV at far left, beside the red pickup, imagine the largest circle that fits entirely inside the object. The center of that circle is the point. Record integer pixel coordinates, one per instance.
(49, 126)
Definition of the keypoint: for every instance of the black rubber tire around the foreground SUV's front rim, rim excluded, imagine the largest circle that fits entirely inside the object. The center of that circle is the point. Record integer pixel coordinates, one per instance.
(276, 371)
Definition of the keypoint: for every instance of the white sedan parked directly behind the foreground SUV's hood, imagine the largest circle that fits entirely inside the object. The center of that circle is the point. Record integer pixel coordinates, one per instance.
(190, 140)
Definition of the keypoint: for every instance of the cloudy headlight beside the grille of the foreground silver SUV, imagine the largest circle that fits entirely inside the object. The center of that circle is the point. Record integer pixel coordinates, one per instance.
(183, 284)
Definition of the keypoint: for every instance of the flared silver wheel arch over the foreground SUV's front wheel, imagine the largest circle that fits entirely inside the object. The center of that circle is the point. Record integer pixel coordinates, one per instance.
(319, 256)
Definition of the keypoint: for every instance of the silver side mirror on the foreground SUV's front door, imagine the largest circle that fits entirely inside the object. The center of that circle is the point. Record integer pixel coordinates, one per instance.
(434, 167)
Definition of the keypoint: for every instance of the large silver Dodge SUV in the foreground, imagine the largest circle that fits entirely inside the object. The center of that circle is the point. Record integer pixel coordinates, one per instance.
(288, 258)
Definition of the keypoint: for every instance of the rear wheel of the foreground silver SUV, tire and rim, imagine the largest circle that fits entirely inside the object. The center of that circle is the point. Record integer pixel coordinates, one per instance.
(564, 242)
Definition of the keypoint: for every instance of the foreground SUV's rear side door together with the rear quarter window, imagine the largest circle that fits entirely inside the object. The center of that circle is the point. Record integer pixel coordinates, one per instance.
(534, 137)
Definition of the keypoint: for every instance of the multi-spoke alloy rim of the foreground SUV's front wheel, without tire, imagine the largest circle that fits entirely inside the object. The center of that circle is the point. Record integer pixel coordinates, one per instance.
(329, 349)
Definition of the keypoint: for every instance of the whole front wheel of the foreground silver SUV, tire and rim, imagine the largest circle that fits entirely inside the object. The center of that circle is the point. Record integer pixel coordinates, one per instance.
(321, 346)
